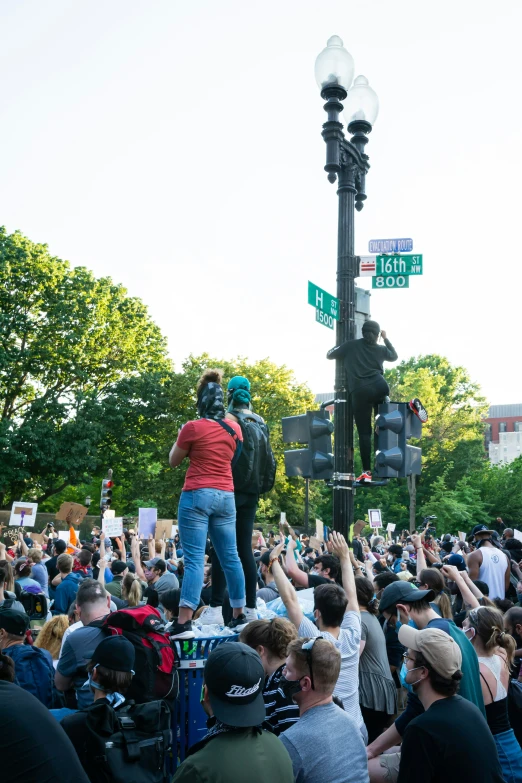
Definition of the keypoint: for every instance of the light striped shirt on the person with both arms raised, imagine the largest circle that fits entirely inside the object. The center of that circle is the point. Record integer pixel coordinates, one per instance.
(347, 643)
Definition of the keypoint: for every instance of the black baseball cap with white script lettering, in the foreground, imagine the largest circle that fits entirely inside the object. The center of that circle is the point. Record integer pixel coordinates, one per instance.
(234, 676)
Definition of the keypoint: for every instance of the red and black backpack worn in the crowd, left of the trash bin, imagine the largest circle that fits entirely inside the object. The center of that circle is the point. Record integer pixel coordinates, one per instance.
(156, 661)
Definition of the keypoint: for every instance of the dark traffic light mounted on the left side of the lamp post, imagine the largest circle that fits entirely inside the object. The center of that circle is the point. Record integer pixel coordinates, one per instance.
(315, 429)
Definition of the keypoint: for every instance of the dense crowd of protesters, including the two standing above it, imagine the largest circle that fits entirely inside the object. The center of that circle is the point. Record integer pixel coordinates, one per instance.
(348, 661)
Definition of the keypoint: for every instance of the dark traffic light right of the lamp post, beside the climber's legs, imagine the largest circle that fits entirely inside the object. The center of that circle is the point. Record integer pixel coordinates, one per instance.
(394, 457)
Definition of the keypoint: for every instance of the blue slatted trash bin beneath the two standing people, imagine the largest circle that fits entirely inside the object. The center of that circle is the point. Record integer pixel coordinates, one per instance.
(189, 718)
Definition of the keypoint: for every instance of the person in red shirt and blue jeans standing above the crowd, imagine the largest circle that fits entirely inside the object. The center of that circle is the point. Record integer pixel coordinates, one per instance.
(207, 502)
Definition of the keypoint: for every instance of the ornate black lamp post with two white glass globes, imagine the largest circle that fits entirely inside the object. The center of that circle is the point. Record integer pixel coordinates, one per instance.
(346, 162)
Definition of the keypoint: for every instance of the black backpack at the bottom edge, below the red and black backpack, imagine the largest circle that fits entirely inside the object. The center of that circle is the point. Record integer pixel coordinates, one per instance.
(127, 745)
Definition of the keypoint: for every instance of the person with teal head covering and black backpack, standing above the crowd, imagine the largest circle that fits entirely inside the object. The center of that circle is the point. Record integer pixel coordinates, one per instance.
(254, 474)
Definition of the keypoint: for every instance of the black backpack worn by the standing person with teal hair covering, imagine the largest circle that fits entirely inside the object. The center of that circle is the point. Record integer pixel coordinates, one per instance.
(254, 471)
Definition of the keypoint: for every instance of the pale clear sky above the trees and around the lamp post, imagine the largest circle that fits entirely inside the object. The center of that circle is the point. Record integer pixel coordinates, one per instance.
(176, 147)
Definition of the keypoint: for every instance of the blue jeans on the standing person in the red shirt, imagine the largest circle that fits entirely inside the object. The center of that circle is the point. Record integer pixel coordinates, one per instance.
(213, 511)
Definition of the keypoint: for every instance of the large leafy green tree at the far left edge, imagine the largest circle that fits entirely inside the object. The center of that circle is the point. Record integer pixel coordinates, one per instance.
(69, 343)
